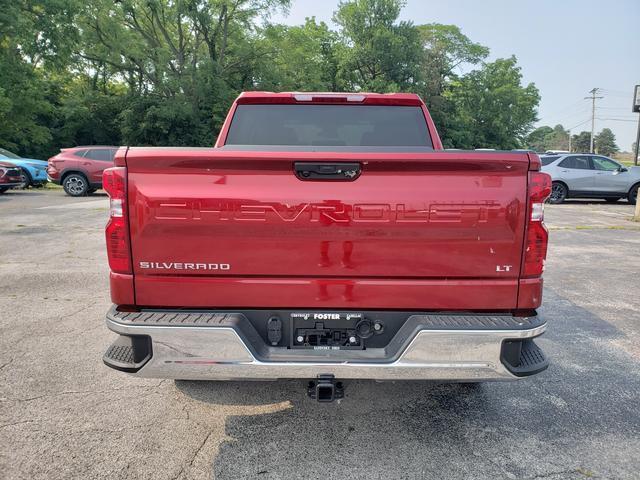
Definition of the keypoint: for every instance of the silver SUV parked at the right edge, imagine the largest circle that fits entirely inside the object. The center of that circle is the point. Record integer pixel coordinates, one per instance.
(583, 175)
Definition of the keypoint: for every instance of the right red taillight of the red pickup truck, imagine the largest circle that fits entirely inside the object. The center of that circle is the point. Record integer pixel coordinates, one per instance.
(537, 236)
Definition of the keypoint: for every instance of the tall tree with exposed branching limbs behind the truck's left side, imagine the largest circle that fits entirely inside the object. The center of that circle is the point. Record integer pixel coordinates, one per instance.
(183, 62)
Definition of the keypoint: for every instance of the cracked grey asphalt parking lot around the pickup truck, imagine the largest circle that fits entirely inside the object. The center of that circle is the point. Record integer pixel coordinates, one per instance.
(65, 415)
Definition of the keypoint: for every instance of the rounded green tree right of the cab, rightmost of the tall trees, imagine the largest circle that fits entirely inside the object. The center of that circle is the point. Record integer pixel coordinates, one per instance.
(493, 108)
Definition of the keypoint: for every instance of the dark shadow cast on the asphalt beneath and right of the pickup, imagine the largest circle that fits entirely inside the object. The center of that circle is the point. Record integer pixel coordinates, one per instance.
(579, 416)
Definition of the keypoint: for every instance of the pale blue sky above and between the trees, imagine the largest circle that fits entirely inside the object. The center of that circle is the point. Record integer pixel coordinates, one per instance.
(565, 47)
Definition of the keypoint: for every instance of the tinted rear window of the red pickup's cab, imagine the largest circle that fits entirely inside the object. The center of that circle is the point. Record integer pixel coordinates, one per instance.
(329, 126)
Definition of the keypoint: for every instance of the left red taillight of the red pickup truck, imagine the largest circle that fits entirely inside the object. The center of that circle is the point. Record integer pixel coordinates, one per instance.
(117, 233)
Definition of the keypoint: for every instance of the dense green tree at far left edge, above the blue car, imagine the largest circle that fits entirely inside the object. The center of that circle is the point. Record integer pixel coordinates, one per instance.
(36, 37)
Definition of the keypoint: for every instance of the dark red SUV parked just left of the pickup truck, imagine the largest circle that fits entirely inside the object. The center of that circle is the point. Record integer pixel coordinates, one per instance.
(79, 169)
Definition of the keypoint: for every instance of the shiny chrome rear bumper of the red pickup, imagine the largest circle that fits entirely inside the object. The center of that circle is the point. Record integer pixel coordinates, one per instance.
(219, 351)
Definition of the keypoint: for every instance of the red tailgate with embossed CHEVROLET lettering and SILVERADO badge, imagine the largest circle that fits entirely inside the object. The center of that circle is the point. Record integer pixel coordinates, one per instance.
(214, 219)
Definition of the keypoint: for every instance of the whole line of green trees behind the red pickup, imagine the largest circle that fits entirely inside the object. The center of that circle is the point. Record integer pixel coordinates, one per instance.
(160, 72)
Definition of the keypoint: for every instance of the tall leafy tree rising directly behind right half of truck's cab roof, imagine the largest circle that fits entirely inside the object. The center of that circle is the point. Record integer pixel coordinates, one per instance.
(378, 53)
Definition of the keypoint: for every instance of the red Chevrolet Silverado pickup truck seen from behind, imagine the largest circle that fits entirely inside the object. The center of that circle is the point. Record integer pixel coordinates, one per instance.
(326, 236)
